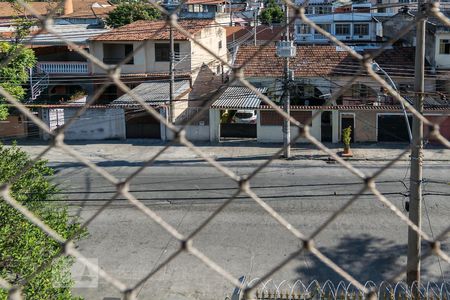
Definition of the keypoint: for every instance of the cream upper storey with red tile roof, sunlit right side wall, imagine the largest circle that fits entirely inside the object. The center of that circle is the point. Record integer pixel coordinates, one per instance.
(150, 42)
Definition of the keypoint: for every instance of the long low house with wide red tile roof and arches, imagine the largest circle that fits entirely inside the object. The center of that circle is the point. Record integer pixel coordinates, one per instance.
(319, 71)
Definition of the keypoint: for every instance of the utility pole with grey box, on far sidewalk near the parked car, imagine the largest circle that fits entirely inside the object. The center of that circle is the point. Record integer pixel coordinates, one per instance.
(287, 99)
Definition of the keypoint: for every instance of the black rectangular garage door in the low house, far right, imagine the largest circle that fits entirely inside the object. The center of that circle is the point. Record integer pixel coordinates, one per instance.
(392, 128)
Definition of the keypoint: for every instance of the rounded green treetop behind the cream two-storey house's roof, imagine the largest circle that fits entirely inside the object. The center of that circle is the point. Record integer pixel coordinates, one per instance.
(127, 13)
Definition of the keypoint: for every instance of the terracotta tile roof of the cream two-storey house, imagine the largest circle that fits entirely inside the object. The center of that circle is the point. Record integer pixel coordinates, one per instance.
(152, 30)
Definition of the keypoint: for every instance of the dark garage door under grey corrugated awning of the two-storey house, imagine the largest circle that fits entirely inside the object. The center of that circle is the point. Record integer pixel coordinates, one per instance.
(143, 126)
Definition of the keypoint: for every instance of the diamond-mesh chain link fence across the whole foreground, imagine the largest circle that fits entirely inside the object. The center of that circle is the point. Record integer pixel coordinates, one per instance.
(186, 242)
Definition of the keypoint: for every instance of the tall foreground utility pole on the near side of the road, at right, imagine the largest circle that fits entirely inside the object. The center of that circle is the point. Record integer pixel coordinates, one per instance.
(415, 198)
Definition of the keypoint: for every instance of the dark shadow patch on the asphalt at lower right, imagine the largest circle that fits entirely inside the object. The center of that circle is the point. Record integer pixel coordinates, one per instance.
(365, 257)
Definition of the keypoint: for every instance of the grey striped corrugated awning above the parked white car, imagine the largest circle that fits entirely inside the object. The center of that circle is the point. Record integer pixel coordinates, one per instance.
(238, 97)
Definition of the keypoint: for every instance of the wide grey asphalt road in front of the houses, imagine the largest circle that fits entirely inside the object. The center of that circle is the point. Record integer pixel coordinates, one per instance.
(367, 240)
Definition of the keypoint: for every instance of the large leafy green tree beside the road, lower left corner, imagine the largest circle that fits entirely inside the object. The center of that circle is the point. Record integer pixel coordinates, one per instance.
(23, 246)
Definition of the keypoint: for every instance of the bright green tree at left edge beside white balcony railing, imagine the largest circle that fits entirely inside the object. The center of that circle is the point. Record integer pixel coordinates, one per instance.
(15, 73)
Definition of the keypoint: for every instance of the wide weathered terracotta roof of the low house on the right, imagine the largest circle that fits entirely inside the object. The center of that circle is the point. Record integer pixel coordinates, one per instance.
(316, 61)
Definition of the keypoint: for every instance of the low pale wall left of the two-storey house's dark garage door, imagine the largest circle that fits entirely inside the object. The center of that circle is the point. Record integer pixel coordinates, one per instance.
(93, 124)
